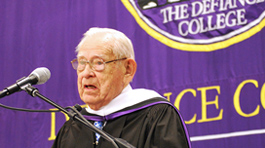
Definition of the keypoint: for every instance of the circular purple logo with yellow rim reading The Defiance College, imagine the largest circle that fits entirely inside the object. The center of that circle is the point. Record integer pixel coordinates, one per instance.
(198, 25)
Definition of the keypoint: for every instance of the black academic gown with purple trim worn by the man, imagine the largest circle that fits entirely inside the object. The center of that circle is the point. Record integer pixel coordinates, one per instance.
(154, 123)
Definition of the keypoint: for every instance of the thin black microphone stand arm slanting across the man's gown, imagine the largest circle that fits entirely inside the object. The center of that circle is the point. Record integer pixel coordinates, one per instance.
(117, 142)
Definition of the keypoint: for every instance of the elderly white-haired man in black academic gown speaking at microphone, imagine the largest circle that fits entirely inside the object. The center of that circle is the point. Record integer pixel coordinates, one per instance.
(105, 66)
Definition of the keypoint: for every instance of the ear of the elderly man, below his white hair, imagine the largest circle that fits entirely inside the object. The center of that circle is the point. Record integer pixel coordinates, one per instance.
(130, 66)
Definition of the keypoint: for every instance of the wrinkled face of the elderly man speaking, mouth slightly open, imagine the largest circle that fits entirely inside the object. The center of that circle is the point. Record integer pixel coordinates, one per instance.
(98, 88)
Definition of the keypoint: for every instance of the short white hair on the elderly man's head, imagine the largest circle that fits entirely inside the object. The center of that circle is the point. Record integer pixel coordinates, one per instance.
(120, 44)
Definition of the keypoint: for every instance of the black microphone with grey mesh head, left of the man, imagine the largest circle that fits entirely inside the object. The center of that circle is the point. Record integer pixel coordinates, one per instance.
(38, 76)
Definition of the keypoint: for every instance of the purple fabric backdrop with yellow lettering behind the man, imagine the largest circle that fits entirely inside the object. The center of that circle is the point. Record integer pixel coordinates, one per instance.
(220, 93)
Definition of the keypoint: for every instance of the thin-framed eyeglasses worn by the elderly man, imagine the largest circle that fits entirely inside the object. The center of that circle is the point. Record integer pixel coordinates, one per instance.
(96, 64)
